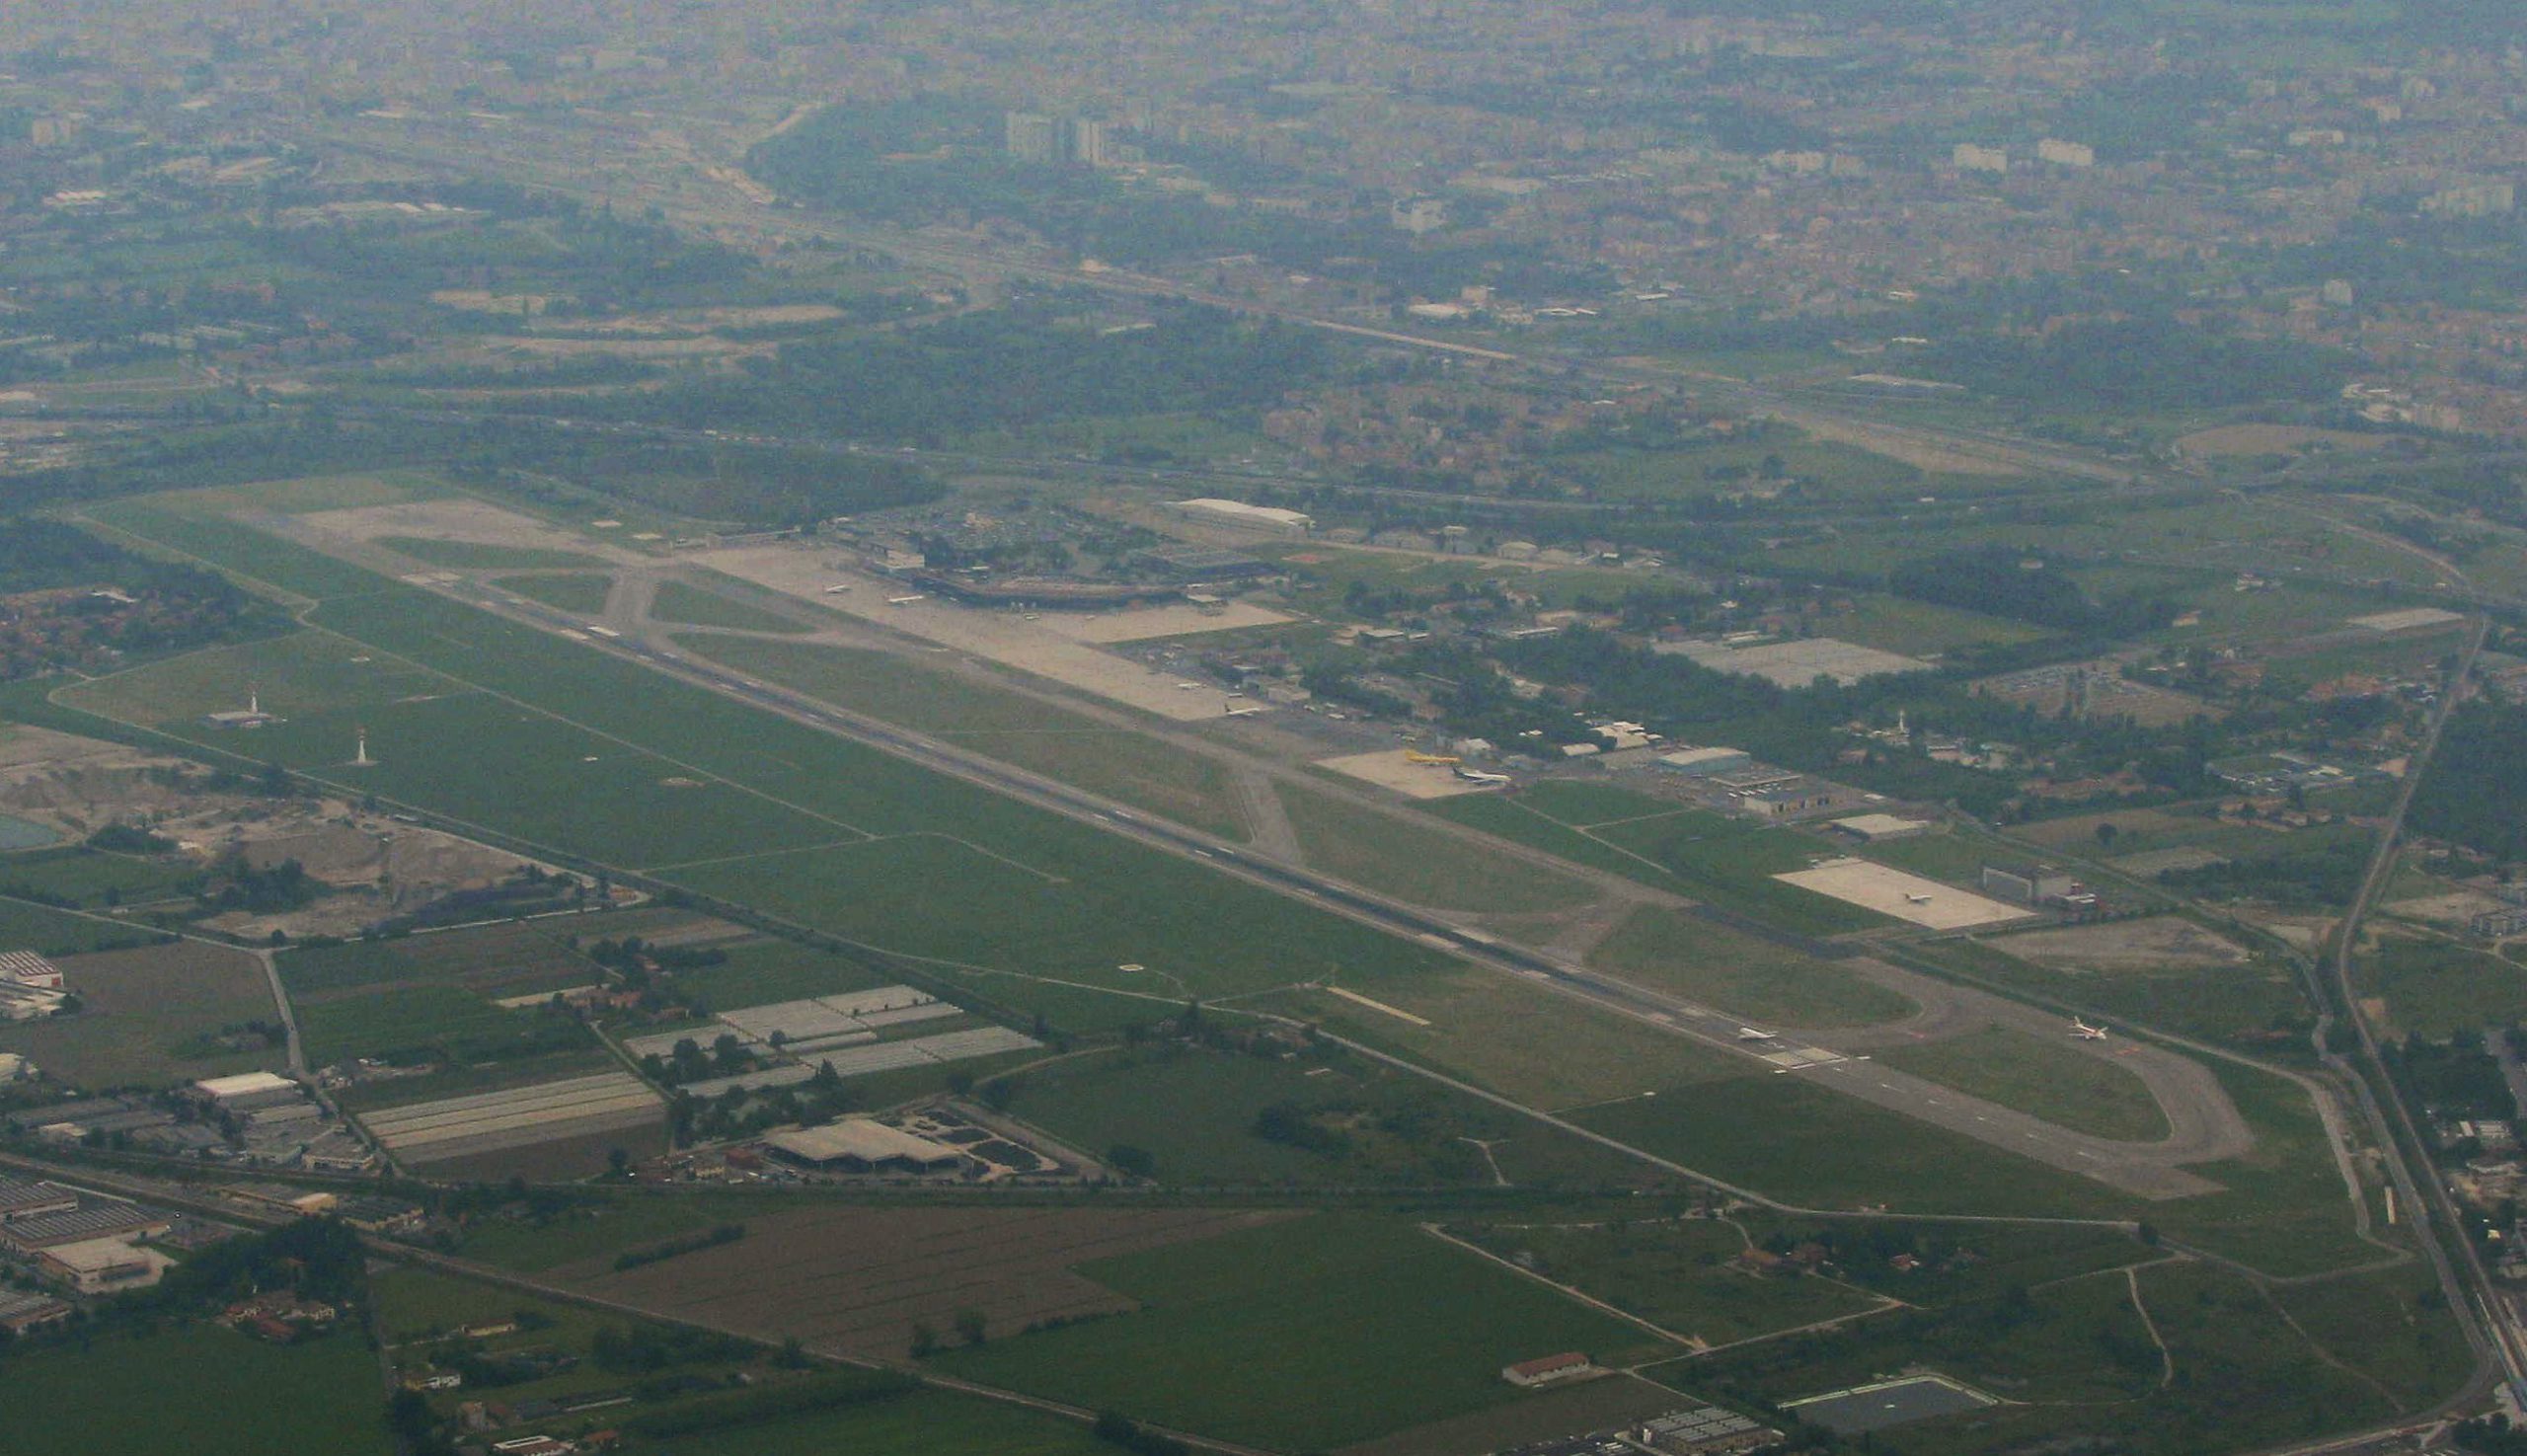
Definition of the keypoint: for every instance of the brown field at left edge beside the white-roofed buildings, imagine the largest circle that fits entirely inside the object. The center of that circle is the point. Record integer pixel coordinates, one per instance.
(153, 1017)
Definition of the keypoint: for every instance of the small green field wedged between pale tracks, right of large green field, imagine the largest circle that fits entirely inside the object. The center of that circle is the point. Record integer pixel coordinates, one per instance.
(1674, 1275)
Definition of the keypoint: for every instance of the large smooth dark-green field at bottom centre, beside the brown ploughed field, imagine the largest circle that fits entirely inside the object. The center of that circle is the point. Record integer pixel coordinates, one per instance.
(1376, 1321)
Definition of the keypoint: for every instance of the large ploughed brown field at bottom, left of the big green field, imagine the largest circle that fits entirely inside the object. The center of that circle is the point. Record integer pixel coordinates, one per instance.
(858, 1280)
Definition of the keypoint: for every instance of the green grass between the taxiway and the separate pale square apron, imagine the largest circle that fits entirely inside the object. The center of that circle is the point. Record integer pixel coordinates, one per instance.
(1669, 848)
